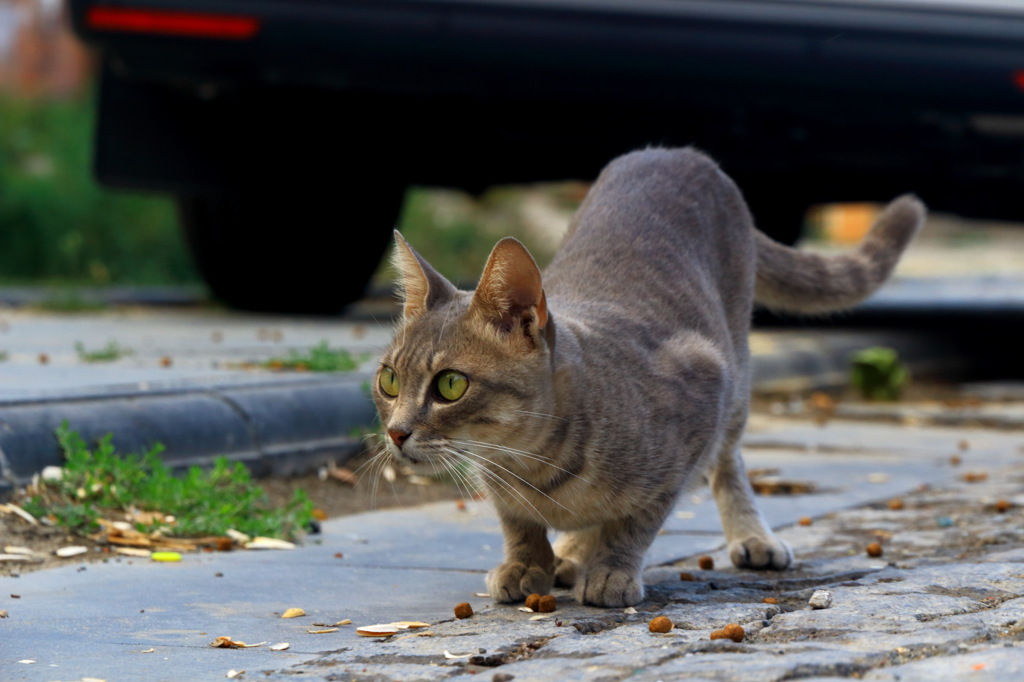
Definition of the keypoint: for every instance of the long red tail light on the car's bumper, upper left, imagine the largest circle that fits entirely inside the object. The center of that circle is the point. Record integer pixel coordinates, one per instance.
(193, 25)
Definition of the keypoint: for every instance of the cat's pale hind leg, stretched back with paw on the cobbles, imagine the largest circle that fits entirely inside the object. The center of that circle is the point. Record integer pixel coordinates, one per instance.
(752, 544)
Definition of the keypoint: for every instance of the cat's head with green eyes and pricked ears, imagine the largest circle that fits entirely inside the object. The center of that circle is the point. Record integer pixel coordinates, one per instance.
(467, 372)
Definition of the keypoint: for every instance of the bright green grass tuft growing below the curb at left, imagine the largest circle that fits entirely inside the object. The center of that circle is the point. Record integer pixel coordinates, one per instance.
(204, 503)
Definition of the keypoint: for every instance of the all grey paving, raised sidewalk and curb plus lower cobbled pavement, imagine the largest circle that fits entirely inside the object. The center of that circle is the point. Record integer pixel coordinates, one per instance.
(946, 601)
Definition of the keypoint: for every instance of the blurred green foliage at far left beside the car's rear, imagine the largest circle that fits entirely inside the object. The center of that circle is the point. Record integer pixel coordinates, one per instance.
(57, 224)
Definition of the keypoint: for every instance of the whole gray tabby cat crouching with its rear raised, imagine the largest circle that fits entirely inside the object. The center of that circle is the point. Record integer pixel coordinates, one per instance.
(587, 400)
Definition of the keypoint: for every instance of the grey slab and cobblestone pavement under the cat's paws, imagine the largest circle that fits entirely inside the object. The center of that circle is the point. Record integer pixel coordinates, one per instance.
(945, 602)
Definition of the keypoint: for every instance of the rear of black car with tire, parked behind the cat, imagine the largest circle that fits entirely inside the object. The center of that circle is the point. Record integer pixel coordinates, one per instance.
(288, 131)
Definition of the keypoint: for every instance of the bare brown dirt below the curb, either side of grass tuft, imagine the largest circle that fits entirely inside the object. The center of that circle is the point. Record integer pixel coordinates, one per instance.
(329, 496)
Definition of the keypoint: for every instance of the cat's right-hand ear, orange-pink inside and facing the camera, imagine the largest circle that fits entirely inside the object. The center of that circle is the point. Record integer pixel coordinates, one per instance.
(510, 295)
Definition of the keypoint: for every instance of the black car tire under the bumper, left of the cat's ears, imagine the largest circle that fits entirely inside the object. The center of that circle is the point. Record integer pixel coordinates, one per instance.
(290, 253)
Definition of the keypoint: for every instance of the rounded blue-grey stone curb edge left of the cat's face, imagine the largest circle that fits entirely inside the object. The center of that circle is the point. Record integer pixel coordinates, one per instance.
(278, 428)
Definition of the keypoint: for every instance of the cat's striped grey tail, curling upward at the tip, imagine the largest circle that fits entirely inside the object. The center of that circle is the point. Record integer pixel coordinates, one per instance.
(795, 281)
